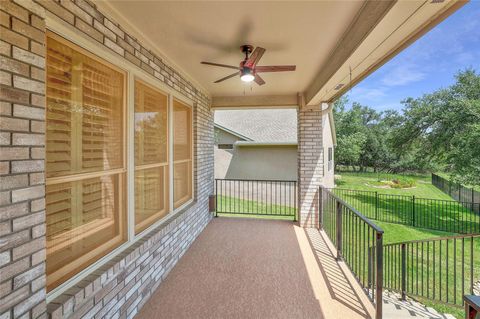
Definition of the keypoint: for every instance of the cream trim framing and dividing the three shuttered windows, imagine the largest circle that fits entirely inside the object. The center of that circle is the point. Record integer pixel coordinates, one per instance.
(56, 26)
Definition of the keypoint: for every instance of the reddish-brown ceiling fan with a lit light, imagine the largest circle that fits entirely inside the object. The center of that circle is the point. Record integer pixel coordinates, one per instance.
(248, 69)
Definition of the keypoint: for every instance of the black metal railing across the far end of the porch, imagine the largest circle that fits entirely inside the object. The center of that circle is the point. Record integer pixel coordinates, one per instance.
(256, 197)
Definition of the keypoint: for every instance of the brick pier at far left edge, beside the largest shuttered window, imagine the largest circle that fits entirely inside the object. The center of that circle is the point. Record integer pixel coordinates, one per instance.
(22, 153)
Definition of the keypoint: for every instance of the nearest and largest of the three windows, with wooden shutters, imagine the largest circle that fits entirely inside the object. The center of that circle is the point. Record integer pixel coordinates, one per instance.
(85, 159)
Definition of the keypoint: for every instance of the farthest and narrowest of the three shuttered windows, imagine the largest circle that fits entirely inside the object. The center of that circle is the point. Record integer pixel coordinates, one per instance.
(182, 153)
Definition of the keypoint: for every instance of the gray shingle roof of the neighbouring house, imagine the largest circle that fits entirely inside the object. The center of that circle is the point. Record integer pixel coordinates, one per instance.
(261, 125)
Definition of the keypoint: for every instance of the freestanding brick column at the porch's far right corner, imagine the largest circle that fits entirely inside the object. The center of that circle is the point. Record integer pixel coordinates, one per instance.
(310, 164)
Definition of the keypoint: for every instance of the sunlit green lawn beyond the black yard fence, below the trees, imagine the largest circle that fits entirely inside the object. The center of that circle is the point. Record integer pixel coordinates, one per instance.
(430, 209)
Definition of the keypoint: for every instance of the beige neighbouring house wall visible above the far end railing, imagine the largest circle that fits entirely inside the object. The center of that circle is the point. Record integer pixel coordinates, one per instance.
(257, 162)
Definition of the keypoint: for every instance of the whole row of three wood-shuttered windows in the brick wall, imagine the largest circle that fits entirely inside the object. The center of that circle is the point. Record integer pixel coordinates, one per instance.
(91, 208)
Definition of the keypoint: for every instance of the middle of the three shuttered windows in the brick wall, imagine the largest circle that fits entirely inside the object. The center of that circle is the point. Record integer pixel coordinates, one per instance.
(151, 155)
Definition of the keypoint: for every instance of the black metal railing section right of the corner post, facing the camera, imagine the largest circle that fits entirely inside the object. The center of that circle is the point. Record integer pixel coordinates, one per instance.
(442, 269)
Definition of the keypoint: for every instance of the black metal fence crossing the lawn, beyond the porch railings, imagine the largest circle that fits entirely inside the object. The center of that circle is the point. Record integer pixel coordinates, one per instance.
(435, 214)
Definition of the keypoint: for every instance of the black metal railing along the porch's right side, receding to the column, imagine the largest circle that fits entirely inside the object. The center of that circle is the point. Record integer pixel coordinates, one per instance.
(358, 242)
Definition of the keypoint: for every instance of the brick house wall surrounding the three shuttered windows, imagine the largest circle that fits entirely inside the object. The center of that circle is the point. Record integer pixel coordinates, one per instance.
(120, 287)
